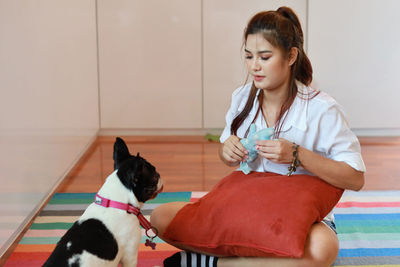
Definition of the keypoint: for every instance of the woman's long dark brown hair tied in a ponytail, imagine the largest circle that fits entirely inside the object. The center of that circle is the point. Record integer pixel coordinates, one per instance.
(282, 29)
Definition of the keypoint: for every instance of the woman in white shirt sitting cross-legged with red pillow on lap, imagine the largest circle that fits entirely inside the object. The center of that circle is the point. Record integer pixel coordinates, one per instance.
(305, 121)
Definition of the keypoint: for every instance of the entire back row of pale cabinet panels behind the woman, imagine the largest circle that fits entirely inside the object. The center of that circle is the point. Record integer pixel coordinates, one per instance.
(174, 64)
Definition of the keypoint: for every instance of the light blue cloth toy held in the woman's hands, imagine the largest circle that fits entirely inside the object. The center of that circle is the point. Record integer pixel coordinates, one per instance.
(250, 144)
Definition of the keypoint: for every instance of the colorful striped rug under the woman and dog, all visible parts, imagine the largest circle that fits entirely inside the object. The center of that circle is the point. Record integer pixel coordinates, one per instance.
(368, 225)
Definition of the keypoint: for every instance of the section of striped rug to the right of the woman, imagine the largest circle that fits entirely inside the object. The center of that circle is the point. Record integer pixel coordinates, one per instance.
(368, 224)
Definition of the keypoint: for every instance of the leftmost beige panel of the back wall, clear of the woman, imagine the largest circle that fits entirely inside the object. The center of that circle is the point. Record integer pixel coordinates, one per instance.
(150, 64)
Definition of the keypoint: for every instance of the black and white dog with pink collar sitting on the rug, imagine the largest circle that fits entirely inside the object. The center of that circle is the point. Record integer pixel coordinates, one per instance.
(108, 233)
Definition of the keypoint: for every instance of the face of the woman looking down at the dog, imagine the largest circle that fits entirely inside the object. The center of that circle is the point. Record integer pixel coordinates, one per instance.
(267, 64)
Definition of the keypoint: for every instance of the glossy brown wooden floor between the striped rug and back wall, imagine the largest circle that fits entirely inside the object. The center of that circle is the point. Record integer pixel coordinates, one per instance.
(191, 163)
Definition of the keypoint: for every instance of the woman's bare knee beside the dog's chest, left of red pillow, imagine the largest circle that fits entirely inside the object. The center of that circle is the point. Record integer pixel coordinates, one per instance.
(162, 216)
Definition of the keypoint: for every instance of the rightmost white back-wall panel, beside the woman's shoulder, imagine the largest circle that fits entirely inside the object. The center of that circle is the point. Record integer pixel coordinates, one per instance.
(355, 51)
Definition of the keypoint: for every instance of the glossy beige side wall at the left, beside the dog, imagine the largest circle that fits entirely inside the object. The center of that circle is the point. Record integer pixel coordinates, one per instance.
(49, 100)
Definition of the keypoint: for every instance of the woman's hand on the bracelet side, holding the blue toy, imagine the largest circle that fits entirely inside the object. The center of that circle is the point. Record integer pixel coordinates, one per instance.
(278, 150)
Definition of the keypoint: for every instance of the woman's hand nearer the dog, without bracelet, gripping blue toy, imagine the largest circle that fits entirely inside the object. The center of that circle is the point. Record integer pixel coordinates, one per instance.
(233, 152)
